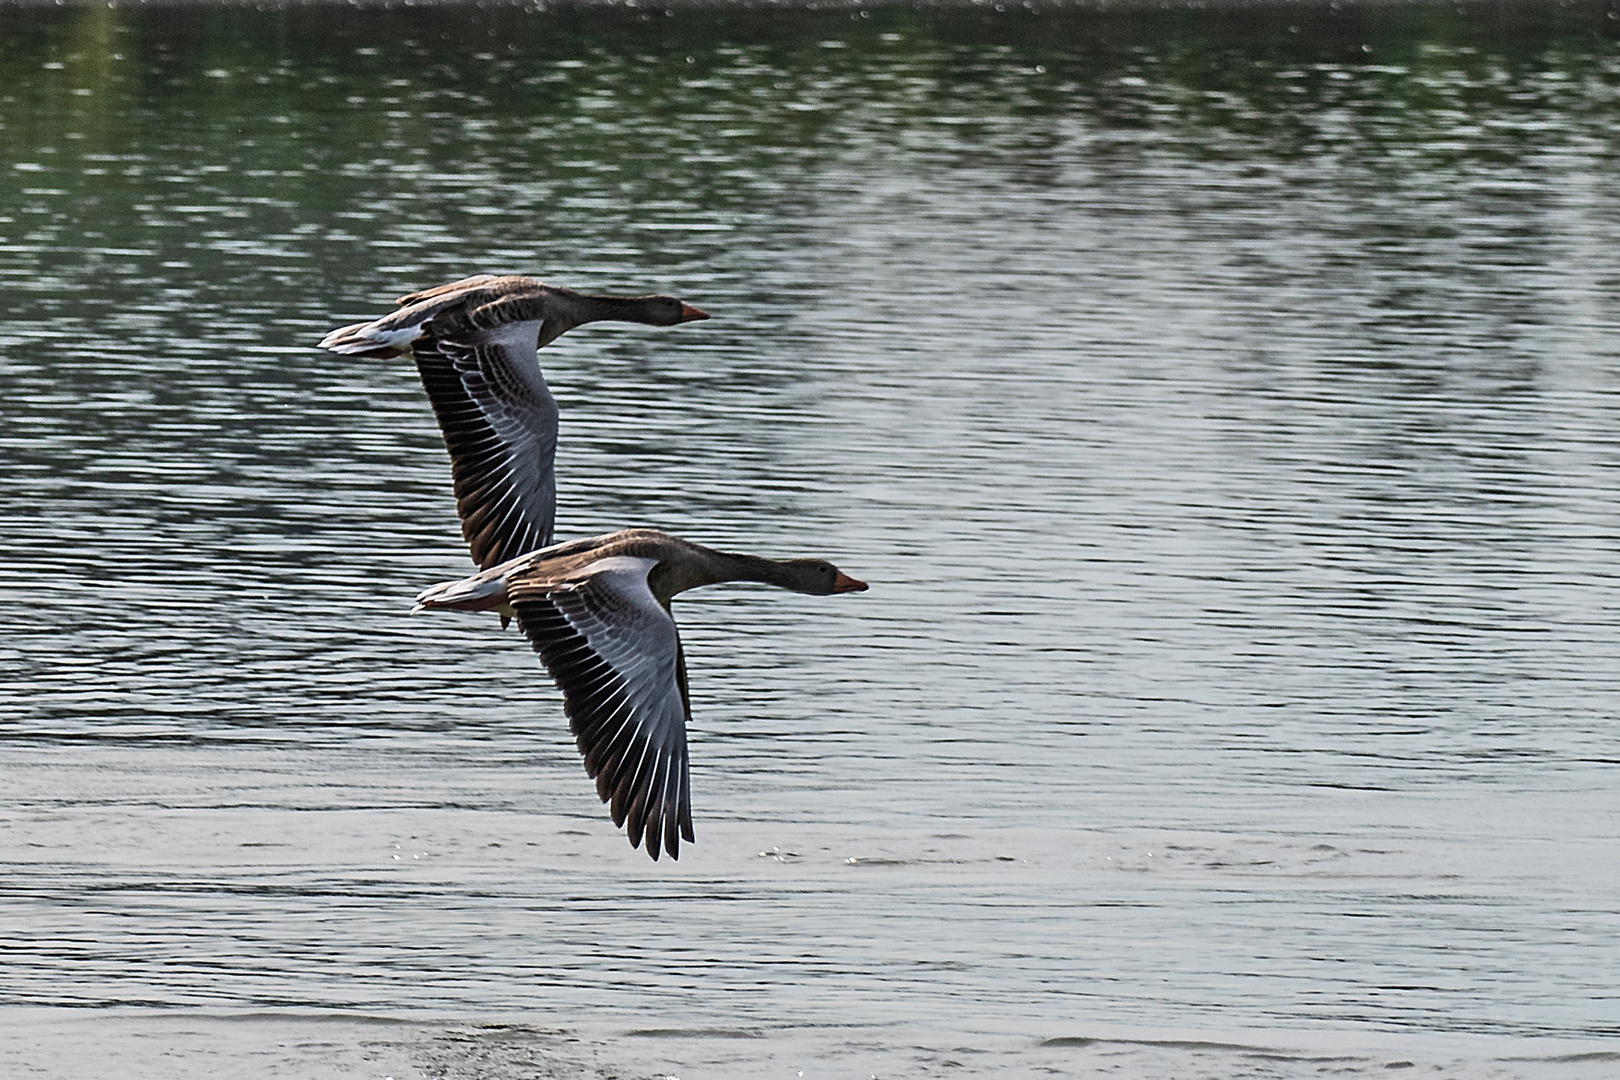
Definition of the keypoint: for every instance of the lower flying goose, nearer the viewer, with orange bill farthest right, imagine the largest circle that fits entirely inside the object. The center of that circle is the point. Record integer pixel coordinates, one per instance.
(597, 613)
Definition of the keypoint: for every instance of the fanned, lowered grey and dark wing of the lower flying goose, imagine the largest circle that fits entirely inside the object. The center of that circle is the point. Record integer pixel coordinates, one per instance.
(616, 657)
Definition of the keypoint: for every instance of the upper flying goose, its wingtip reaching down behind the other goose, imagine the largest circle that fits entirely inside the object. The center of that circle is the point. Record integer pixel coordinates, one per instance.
(475, 344)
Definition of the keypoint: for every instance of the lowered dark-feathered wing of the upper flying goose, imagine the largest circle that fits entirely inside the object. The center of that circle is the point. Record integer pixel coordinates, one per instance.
(500, 425)
